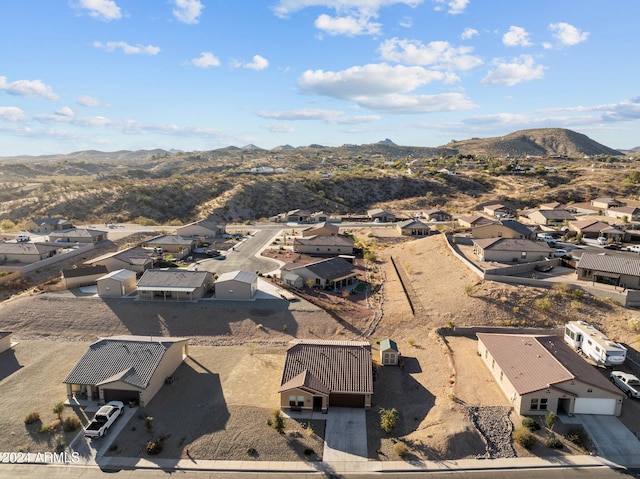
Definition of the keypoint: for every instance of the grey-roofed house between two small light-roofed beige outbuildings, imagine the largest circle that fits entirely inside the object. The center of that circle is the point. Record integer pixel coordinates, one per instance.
(175, 284)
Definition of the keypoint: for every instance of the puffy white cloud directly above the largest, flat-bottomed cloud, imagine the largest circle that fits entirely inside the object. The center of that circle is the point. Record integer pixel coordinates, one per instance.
(440, 54)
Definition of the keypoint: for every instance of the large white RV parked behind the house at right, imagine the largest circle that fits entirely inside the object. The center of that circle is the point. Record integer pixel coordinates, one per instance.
(584, 338)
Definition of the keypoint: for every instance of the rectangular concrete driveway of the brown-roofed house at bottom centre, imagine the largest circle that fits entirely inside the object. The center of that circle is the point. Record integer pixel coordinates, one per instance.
(345, 435)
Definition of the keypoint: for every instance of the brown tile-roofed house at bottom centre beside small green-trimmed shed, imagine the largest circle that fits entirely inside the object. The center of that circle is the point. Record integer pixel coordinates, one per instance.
(318, 374)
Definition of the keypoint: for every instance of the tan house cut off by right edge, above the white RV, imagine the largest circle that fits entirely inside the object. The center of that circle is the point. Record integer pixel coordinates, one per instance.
(616, 270)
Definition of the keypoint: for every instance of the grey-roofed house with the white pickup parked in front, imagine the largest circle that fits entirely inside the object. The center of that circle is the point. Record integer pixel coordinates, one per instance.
(125, 368)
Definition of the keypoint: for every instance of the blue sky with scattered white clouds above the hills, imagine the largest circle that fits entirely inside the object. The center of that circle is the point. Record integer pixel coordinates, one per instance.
(206, 74)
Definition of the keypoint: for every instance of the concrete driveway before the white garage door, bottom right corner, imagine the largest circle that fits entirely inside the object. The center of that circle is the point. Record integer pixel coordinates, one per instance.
(613, 440)
